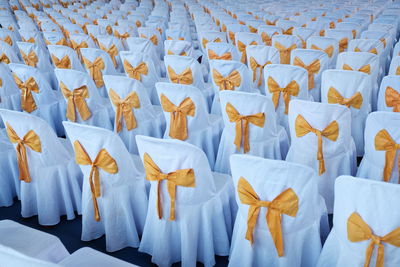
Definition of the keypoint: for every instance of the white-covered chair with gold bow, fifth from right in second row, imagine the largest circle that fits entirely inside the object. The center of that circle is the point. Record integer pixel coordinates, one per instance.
(134, 112)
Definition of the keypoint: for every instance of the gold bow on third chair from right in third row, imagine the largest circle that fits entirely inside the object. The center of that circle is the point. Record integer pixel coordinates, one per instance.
(292, 89)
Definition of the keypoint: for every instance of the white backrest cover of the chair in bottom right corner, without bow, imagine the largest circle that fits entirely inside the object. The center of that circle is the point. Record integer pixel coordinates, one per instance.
(376, 203)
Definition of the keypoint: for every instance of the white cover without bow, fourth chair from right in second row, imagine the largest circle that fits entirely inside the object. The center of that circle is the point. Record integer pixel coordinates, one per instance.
(203, 129)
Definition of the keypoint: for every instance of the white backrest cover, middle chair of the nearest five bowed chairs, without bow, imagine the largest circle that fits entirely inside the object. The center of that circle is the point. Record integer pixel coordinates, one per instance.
(184, 156)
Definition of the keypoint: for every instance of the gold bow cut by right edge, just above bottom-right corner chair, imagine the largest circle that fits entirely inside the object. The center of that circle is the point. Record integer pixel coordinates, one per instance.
(384, 142)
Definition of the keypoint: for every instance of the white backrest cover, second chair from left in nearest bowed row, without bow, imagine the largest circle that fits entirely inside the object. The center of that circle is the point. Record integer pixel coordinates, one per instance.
(112, 143)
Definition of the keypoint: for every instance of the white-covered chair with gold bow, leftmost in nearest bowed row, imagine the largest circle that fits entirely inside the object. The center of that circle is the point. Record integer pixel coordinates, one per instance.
(50, 180)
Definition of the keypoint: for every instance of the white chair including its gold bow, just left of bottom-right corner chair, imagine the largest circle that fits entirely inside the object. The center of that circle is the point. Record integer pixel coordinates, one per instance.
(289, 193)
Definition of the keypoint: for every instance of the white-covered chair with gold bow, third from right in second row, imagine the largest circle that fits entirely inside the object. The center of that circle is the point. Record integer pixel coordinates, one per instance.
(250, 129)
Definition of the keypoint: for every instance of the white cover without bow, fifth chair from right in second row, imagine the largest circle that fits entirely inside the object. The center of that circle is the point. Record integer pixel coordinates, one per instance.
(149, 119)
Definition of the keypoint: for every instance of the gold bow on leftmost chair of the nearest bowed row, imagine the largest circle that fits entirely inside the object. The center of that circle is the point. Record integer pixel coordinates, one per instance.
(31, 140)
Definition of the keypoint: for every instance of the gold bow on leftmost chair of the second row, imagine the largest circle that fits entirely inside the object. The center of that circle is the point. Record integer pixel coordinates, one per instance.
(28, 103)
